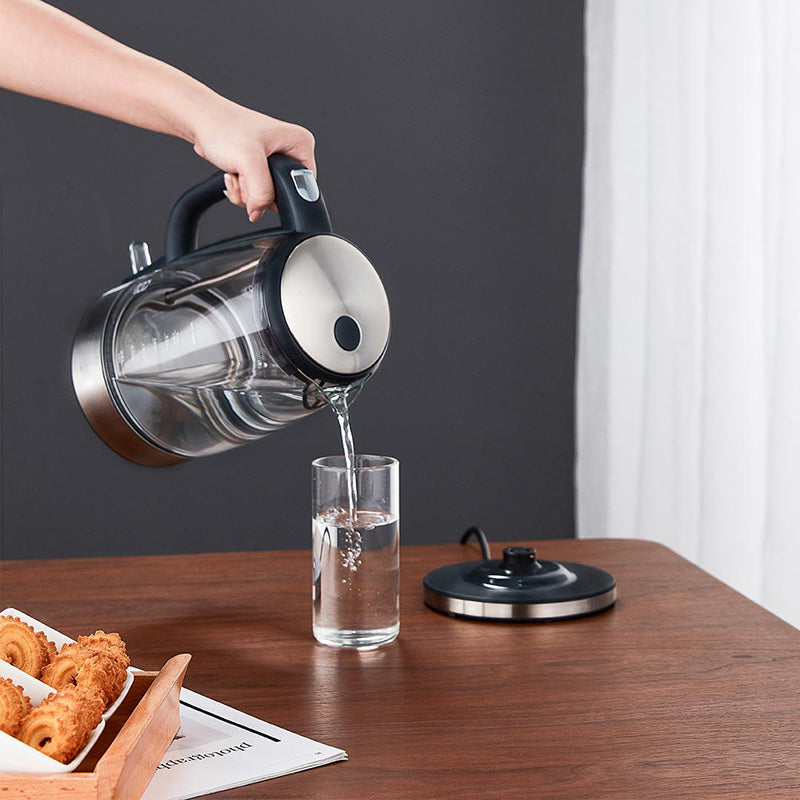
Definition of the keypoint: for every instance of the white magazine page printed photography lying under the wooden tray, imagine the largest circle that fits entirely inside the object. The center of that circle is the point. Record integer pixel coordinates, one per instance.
(218, 747)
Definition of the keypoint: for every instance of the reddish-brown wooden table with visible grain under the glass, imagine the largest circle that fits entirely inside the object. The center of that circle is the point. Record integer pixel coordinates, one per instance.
(684, 690)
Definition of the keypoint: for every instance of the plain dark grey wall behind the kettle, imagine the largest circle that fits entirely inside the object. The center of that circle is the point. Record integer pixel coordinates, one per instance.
(449, 147)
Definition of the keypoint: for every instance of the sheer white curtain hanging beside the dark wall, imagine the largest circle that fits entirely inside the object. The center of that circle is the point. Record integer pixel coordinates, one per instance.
(688, 389)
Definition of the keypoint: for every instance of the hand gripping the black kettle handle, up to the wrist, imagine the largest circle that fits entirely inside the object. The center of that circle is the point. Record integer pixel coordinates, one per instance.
(239, 140)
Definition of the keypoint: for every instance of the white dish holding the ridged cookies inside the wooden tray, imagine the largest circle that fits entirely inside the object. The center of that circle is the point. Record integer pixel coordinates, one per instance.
(18, 757)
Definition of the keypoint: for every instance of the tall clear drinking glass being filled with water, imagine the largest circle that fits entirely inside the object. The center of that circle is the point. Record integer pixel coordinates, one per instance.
(356, 566)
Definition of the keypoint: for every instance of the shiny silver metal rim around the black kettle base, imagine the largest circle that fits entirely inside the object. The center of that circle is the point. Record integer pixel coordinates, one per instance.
(519, 612)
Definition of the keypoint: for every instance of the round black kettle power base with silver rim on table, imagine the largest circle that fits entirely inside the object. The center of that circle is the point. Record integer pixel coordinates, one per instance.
(504, 591)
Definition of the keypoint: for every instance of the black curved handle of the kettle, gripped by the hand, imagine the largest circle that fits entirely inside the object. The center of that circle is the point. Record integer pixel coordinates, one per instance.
(300, 205)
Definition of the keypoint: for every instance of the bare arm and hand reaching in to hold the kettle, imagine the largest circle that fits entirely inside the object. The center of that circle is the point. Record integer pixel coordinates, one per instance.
(48, 54)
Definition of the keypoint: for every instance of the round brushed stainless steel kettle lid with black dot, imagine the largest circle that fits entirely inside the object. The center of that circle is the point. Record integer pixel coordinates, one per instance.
(334, 306)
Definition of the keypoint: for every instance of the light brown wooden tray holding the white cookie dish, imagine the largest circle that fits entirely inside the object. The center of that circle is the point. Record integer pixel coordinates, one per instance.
(126, 755)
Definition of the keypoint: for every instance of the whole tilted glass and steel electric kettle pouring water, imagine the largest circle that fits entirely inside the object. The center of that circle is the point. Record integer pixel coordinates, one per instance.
(210, 348)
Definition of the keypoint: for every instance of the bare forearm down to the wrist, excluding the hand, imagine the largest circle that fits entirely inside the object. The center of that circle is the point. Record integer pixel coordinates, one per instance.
(48, 54)
